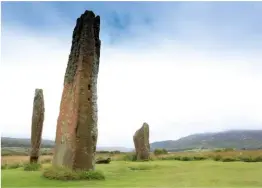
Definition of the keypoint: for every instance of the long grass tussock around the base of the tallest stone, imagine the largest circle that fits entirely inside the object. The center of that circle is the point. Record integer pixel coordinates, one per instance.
(65, 174)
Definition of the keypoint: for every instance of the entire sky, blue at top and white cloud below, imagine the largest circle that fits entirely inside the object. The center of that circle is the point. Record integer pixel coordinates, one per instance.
(182, 67)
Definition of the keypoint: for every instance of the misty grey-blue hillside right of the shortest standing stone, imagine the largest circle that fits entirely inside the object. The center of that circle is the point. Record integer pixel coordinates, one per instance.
(239, 139)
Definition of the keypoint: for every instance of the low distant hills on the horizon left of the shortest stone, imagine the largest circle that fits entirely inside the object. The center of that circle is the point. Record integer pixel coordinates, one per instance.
(26, 143)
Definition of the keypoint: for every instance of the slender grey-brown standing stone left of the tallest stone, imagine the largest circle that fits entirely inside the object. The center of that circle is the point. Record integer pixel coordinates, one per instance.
(37, 125)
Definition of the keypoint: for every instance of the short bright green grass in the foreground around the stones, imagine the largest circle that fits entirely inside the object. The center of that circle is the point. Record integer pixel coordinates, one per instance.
(151, 174)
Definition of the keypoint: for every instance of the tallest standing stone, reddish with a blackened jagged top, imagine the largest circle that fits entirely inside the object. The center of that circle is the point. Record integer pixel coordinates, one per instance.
(76, 133)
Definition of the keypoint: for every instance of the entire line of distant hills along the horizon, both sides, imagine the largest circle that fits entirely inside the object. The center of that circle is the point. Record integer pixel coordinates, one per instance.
(238, 139)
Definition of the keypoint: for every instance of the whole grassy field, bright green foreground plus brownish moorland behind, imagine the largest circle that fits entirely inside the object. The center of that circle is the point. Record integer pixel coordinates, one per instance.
(179, 169)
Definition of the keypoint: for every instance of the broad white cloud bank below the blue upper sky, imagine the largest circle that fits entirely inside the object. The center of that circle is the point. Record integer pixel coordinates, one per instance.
(177, 88)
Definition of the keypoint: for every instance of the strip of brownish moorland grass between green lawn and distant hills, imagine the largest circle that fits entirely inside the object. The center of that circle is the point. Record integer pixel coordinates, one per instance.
(217, 155)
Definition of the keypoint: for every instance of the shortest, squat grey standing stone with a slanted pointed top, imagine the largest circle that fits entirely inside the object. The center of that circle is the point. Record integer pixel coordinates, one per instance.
(141, 141)
